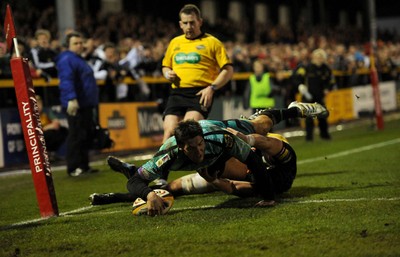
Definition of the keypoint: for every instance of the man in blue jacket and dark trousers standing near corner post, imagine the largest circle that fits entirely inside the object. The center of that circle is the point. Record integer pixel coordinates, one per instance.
(79, 97)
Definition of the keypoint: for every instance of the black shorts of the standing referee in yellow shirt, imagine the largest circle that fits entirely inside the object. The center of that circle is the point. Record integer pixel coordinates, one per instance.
(182, 100)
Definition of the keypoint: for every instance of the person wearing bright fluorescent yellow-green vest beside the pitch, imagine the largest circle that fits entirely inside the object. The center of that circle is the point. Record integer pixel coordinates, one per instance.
(260, 91)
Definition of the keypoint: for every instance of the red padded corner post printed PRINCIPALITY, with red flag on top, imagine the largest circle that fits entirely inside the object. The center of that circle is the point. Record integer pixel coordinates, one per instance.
(31, 125)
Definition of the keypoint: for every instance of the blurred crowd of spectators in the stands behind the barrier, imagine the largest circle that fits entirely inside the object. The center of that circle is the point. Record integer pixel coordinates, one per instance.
(129, 44)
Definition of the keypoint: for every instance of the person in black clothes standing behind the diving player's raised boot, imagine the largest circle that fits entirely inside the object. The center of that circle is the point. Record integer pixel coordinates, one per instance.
(314, 81)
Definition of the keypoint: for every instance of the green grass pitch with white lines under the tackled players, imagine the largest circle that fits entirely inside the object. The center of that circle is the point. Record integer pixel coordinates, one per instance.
(339, 205)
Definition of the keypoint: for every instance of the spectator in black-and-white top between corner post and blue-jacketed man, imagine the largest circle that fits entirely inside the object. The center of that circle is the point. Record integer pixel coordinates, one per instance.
(43, 56)
